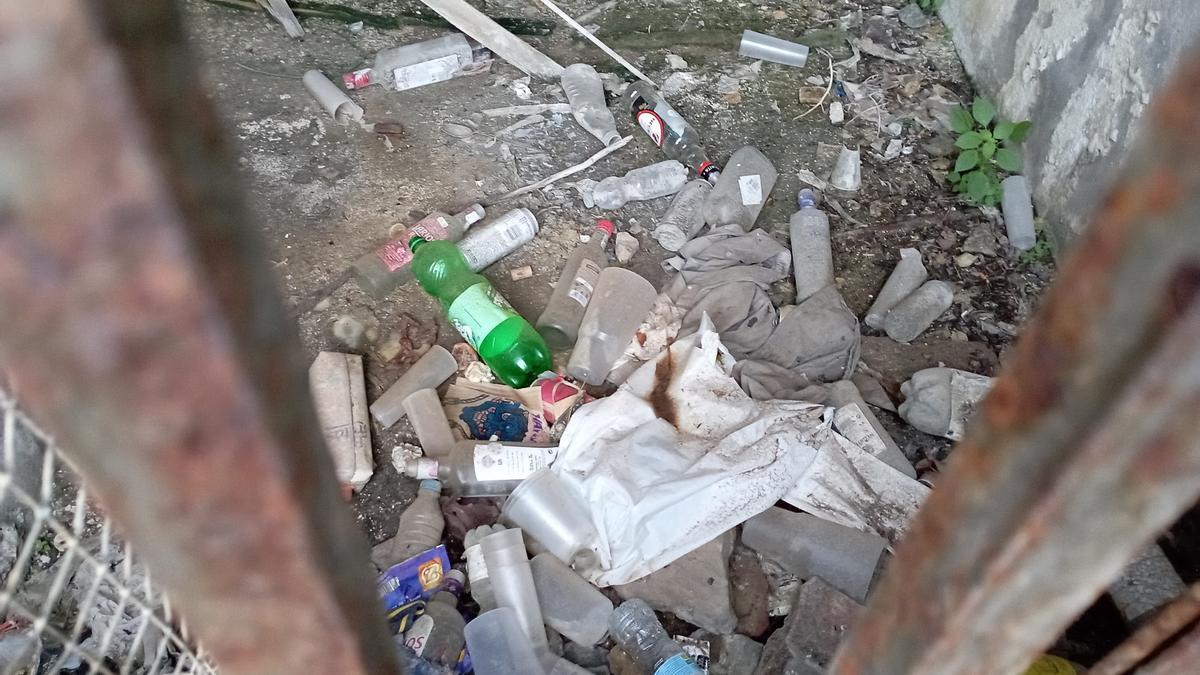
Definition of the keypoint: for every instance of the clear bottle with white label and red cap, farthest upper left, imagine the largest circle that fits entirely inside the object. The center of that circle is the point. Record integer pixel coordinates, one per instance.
(410, 67)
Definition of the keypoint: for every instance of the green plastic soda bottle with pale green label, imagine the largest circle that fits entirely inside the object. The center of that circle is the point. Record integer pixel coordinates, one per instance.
(506, 342)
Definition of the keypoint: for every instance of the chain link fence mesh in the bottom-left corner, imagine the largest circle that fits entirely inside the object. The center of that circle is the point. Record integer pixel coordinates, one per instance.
(74, 598)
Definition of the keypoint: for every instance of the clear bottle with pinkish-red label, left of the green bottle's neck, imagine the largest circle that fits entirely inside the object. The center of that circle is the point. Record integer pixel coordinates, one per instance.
(386, 268)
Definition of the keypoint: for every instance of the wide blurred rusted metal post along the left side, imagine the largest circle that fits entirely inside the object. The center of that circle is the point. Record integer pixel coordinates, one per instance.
(141, 328)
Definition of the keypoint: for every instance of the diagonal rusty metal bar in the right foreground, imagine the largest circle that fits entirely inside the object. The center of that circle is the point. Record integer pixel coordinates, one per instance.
(1088, 446)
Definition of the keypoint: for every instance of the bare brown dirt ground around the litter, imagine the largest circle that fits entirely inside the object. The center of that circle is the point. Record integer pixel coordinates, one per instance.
(327, 194)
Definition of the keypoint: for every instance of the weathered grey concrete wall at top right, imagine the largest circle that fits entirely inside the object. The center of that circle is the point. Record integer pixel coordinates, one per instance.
(1084, 71)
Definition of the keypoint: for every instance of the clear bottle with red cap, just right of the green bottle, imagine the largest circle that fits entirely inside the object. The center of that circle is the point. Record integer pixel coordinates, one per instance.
(560, 322)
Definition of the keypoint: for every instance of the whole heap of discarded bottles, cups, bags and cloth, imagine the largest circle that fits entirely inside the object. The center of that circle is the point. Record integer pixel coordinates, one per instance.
(701, 452)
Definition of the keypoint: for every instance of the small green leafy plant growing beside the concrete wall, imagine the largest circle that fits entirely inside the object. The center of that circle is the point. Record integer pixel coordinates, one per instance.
(987, 147)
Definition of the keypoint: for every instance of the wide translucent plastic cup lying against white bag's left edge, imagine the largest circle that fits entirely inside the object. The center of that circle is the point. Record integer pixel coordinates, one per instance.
(550, 513)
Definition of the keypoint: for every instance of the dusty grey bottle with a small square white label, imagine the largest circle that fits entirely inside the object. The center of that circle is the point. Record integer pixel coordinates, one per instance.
(742, 190)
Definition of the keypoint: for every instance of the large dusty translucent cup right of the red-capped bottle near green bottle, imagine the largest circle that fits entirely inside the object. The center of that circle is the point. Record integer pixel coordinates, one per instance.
(619, 307)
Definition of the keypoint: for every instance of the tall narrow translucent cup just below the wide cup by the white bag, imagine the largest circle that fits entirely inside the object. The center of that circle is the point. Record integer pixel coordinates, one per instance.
(508, 568)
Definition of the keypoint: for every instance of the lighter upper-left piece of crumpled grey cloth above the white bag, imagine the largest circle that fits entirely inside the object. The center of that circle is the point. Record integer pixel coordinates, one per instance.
(725, 276)
